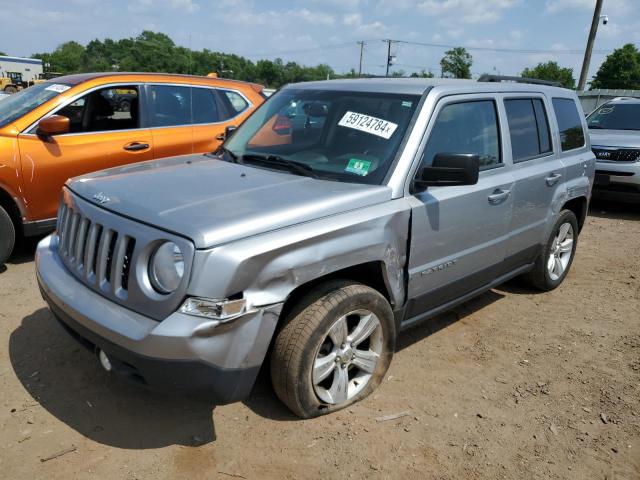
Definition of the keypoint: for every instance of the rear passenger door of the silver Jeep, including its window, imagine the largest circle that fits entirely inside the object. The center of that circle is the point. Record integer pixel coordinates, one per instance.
(537, 170)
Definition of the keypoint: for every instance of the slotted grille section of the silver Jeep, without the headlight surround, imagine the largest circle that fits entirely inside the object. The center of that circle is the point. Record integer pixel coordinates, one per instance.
(101, 256)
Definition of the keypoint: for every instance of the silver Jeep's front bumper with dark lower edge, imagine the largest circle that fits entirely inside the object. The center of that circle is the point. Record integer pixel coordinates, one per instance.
(181, 353)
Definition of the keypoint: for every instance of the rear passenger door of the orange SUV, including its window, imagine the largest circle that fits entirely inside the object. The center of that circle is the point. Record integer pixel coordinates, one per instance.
(169, 118)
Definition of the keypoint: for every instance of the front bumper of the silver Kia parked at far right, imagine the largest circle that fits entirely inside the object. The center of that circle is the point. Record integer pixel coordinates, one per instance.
(617, 181)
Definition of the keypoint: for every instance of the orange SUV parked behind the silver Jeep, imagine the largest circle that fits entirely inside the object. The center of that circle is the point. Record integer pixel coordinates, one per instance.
(77, 124)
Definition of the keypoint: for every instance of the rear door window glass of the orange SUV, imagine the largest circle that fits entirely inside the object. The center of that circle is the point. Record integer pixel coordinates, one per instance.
(170, 105)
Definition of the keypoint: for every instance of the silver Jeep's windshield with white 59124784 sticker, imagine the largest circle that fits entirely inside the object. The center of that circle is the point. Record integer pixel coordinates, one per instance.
(334, 135)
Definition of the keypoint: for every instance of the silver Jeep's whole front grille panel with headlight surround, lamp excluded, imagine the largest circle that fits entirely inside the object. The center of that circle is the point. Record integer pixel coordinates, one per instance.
(109, 254)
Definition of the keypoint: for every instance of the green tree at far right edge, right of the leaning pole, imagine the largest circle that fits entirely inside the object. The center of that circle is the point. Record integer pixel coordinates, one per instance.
(621, 69)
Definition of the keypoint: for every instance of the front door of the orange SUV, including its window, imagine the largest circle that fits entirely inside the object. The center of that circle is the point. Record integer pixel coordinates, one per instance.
(104, 132)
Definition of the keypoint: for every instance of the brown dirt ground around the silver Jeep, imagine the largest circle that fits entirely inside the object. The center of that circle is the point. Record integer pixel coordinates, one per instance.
(514, 384)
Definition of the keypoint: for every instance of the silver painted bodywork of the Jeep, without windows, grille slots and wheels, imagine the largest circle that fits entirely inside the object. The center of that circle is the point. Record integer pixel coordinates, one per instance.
(263, 234)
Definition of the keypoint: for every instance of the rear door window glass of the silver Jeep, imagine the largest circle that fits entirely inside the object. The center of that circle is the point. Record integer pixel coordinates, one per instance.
(528, 128)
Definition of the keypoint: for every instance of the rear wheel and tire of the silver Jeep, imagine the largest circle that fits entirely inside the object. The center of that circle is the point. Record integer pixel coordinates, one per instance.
(545, 277)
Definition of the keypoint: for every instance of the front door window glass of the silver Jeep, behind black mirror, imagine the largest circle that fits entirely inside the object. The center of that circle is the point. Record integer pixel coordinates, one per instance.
(466, 127)
